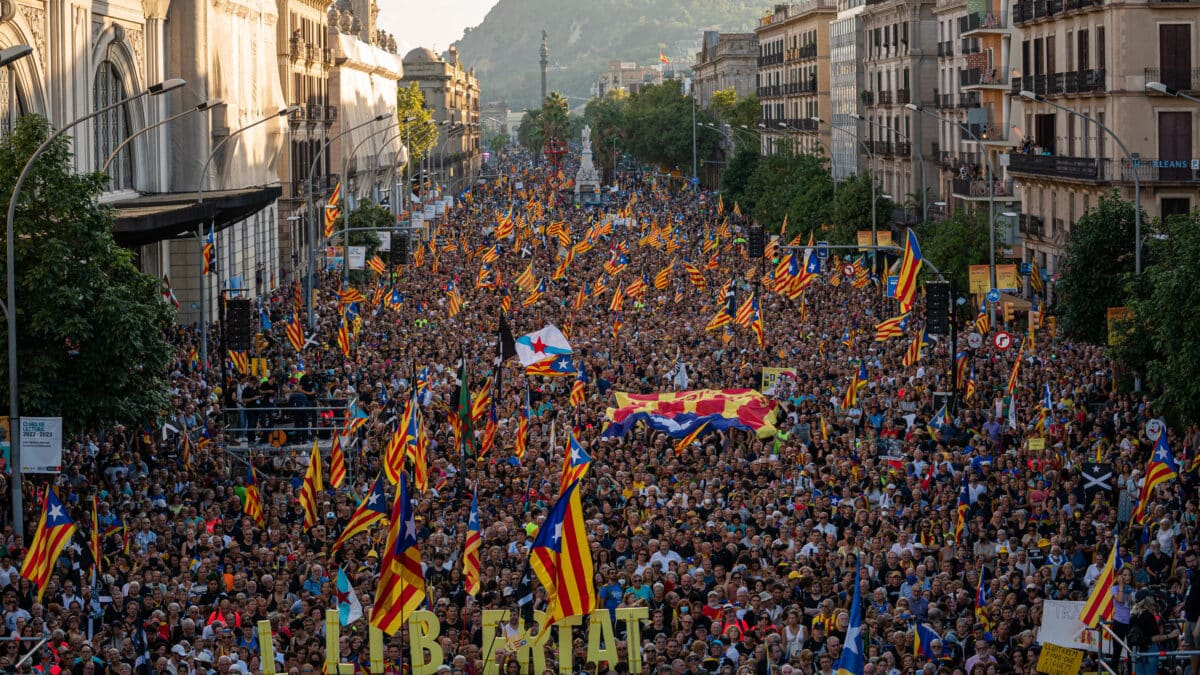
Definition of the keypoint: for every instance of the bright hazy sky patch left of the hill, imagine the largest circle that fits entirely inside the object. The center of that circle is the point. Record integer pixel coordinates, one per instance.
(430, 23)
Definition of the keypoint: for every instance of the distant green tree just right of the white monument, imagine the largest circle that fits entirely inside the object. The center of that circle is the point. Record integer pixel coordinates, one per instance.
(659, 121)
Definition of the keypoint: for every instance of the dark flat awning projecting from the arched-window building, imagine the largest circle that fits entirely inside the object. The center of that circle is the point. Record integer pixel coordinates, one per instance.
(155, 218)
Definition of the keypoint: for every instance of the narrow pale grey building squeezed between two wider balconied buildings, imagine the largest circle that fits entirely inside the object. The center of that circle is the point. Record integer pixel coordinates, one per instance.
(847, 82)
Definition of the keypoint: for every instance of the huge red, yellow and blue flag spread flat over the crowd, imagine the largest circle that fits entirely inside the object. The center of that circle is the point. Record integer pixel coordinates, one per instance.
(677, 414)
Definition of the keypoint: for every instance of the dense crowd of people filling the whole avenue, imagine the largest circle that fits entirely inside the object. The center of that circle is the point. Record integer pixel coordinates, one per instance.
(743, 549)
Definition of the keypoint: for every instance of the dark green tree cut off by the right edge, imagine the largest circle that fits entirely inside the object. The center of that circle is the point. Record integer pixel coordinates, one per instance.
(1165, 337)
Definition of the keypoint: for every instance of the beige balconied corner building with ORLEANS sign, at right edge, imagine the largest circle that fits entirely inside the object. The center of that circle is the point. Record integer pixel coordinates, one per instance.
(1097, 57)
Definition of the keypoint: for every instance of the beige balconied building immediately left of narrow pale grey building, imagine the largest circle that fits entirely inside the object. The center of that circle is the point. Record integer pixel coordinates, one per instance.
(794, 75)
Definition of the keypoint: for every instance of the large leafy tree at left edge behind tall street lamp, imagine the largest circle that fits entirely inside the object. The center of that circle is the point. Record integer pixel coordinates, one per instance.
(92, 330)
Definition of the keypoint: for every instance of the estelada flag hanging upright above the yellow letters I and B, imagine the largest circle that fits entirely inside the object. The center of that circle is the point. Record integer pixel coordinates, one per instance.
(401, 581)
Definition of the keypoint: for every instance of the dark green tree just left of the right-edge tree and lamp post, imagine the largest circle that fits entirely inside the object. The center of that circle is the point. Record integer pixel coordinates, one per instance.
(1093, 273)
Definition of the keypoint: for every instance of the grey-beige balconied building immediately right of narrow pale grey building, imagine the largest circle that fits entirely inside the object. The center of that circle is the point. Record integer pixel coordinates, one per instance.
(901, 68)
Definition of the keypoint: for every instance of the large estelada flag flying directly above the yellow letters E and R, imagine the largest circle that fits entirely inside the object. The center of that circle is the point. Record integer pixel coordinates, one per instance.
(562, 559)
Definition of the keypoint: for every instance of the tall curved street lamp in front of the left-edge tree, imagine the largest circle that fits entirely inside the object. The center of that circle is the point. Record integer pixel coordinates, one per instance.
(9, 57)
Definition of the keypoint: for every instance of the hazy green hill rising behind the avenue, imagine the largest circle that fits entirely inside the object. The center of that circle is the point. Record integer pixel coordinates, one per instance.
(585, 35)
